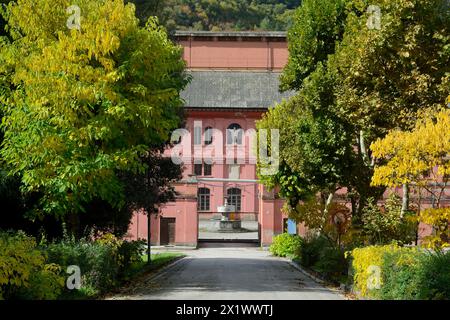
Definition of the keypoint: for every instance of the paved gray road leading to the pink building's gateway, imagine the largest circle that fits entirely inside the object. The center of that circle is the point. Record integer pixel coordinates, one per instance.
(224, 273)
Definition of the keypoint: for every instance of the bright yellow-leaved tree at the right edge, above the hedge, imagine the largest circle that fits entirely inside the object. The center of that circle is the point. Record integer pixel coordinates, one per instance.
(419, 158)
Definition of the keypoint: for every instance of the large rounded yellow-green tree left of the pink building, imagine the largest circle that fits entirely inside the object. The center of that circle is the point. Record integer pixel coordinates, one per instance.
(83, 104)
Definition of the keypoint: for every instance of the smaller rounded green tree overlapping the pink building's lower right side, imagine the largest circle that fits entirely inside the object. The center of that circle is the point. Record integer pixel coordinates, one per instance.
(311, 141)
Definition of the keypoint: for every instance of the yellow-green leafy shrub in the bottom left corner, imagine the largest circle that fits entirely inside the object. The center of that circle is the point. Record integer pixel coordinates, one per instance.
(23, 269)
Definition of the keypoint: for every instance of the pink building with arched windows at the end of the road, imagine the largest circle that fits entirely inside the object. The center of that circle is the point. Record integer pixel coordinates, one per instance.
(234, 81)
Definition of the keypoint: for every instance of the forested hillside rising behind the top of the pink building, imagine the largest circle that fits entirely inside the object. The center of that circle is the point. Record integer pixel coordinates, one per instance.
(214, 15)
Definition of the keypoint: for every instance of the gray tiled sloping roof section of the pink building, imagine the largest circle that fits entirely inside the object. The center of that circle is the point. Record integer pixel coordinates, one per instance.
(233, 89)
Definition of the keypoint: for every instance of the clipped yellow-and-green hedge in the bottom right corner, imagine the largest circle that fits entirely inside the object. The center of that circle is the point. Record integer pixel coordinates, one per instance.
(405, 273)
